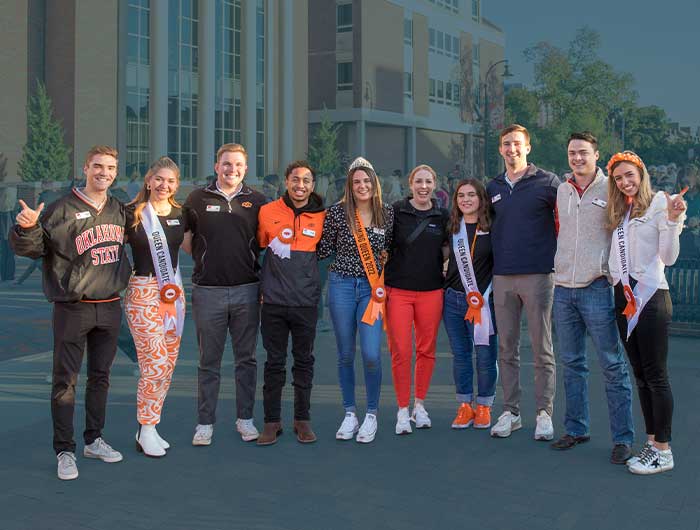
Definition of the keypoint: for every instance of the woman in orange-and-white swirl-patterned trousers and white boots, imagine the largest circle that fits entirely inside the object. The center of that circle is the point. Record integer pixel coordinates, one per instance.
(155, 302)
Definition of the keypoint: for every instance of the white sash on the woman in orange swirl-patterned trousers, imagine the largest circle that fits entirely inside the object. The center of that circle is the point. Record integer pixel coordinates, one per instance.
(160, 254)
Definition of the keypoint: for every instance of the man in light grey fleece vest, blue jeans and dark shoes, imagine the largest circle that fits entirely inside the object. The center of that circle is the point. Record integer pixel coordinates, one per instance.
(583, 301)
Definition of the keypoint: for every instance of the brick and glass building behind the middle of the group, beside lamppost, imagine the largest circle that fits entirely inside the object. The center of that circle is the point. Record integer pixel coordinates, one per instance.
(406, 79)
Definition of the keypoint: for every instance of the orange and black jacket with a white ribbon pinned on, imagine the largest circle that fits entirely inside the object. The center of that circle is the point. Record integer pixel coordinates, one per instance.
(295, 281)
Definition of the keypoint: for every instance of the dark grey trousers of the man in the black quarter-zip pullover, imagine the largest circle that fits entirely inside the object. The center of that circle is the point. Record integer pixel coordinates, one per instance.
(218, 310)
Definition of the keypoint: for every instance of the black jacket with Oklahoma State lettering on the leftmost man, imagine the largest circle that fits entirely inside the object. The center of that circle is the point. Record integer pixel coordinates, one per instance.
(82, 249)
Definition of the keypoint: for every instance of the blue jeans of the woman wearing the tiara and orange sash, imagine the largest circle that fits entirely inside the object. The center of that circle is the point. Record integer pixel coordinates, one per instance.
(347, 300)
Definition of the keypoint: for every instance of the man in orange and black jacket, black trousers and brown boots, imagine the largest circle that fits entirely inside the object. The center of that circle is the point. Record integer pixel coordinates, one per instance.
(290, 228)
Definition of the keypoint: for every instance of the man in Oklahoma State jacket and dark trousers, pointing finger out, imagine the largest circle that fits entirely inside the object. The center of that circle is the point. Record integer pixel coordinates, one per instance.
(80, 238)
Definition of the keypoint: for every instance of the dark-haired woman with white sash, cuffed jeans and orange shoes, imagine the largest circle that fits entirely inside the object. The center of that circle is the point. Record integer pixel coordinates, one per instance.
(468, 314)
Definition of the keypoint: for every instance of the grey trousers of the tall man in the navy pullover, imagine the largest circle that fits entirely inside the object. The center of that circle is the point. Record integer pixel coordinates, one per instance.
(534, 292)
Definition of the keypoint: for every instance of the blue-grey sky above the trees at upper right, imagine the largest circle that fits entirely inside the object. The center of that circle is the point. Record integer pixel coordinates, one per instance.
(659, 45)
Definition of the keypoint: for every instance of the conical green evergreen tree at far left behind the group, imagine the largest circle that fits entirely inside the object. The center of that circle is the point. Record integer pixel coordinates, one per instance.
(45, 156)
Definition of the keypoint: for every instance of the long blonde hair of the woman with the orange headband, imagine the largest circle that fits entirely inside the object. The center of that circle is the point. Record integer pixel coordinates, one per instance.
(617, 201)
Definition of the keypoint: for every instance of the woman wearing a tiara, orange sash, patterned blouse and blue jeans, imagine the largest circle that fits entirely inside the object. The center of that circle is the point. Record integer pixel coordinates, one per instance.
(358, 231)
